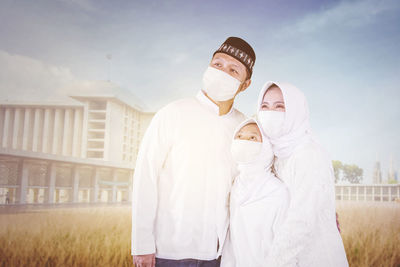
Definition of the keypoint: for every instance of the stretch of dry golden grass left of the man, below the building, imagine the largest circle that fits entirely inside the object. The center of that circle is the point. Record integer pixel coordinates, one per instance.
(69, 237)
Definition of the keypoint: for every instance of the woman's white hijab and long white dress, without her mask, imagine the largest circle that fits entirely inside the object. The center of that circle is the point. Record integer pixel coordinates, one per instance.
(309, 236)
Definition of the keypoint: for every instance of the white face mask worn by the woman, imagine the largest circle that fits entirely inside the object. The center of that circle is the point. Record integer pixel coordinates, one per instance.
(271, 122)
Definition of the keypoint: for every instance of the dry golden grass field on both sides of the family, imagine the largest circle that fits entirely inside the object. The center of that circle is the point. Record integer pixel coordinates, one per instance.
(101, 236)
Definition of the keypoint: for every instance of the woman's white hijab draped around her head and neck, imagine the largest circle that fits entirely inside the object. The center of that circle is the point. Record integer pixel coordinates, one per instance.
(296, 129)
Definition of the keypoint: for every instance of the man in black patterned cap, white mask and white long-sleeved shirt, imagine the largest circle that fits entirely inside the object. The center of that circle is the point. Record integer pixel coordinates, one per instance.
(184, 168)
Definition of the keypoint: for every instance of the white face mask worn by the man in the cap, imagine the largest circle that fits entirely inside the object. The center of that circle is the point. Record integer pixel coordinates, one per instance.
(219, 85)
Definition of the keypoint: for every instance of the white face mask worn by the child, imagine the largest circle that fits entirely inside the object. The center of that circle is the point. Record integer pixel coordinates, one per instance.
(244, 151)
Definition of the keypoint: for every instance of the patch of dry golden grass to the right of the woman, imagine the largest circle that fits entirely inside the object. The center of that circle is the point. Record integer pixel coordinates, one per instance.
(371, 233)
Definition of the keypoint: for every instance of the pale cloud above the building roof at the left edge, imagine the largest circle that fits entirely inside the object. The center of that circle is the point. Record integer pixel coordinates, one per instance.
(27, 79)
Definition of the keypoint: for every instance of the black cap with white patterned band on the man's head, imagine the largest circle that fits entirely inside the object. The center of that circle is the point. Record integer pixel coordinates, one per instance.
(239, 49)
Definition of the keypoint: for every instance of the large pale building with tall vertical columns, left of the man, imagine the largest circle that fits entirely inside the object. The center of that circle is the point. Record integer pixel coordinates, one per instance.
(80, 152)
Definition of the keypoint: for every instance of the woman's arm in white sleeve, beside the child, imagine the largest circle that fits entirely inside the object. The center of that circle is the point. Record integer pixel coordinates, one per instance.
(306, 190)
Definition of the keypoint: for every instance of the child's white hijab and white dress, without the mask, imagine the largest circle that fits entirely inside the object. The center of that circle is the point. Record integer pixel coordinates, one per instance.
(258, 206)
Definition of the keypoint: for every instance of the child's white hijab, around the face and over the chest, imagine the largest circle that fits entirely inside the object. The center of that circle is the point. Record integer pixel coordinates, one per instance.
(254, 174)
